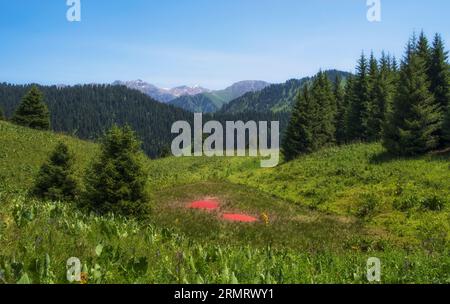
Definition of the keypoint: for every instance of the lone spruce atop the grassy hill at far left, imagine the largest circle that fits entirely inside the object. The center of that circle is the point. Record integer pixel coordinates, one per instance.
(32, 112)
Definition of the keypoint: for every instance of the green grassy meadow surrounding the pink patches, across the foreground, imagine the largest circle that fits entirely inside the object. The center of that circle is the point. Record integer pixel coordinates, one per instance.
(328, 212)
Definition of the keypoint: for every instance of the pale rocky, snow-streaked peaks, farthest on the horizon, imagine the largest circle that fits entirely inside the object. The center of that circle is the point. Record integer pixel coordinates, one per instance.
(159, 94)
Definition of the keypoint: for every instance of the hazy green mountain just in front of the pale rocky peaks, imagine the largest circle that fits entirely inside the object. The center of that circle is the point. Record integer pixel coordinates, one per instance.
(210, 102)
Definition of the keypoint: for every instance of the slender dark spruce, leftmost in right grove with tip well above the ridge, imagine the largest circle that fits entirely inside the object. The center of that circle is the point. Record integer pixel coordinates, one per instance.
(358, 109)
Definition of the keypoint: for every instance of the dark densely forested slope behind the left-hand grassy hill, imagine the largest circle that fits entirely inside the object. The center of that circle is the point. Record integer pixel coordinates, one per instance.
(88, 110)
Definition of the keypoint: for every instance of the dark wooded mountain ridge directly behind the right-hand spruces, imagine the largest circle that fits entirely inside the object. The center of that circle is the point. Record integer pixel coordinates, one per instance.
(277, 98)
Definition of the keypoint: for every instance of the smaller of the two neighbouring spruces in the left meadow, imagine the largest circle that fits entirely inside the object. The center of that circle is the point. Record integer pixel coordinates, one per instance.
(55, 180)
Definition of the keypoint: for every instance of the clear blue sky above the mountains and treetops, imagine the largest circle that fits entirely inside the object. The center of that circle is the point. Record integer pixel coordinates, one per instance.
(211, 43)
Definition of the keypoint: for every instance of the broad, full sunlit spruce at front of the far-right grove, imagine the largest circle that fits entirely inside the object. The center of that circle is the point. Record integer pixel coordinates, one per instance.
(415, 117)
